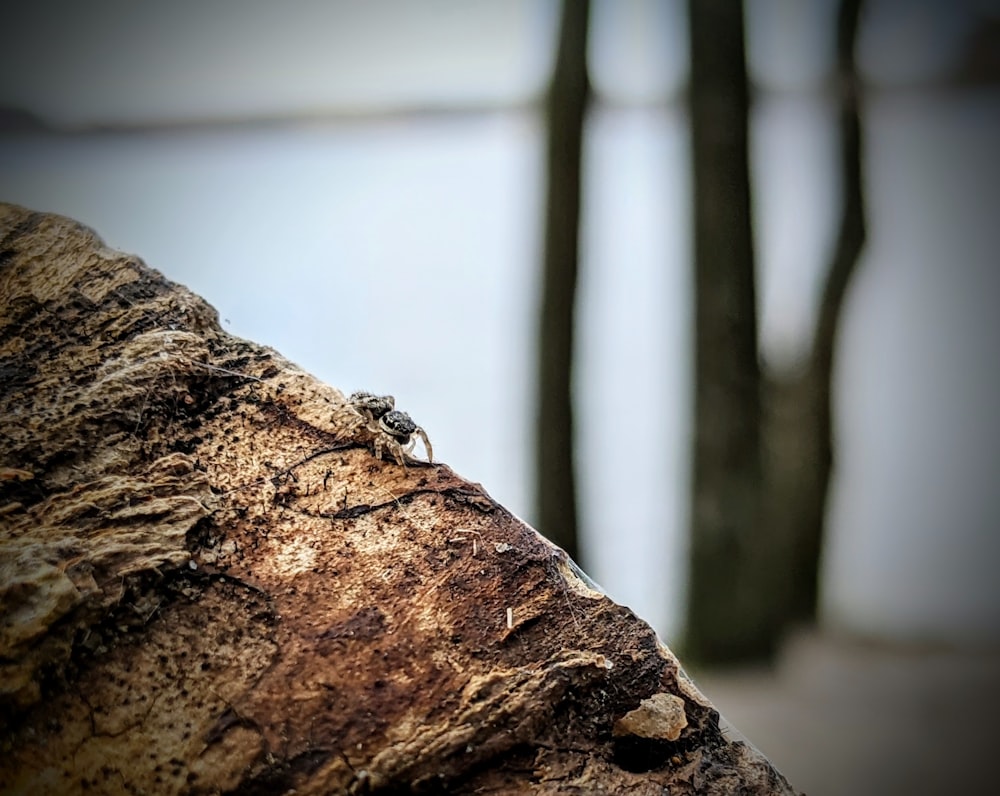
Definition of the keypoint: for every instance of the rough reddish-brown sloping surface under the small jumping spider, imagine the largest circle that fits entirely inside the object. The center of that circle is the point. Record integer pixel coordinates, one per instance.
(209, 584)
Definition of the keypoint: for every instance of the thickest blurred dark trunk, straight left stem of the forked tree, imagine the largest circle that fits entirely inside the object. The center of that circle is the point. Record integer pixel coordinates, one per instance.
(727, 617)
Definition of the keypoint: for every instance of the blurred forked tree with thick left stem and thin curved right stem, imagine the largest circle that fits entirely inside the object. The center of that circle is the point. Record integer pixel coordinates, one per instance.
(763, 452)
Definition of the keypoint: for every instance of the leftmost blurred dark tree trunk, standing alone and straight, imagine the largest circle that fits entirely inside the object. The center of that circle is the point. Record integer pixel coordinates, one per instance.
(567, 103)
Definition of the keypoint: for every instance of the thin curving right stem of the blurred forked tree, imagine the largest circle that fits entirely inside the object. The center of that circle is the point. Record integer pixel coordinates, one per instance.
(801, 412)
